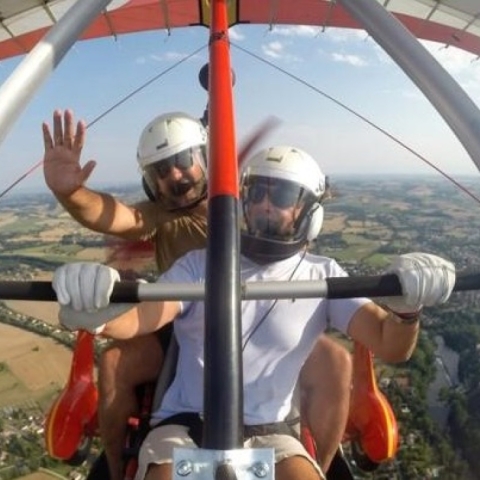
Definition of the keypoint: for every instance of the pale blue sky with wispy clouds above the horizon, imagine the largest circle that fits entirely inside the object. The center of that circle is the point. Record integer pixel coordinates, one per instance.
(344, 64)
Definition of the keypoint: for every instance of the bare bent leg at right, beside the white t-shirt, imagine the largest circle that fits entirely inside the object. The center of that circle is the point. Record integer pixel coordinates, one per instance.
(325, 383)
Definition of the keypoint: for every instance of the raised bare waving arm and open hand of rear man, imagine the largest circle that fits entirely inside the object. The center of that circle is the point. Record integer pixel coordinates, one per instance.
(66, 177)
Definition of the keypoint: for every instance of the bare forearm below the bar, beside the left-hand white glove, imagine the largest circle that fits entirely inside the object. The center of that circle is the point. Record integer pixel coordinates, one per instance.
(147, 317)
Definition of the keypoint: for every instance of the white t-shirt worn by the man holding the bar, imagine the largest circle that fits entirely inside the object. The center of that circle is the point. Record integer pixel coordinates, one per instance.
(274, 354)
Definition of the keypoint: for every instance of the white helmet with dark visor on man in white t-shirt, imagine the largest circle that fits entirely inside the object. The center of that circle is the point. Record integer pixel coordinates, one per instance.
(301, 181)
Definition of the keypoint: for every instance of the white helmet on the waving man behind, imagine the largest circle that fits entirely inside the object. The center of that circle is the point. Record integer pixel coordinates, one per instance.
(165, 136)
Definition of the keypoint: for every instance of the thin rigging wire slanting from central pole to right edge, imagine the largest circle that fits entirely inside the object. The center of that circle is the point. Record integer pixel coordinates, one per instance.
(362, 118)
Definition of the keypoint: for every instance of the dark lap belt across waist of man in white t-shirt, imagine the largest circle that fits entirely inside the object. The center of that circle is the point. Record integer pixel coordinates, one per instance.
(195, 427)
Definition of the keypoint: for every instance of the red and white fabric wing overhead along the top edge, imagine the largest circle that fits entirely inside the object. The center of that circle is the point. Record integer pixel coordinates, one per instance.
(24, 22)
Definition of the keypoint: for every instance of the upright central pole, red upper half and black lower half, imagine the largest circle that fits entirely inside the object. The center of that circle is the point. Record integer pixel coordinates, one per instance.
(223, 394)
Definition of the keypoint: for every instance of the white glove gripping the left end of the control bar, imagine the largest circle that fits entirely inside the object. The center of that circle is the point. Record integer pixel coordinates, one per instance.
(83, 291)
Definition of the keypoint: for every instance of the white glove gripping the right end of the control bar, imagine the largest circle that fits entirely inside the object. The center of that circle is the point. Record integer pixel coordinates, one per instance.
(426, 280)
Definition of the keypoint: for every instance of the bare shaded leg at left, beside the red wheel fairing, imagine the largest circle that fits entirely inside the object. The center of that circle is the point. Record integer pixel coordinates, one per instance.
(123, 366)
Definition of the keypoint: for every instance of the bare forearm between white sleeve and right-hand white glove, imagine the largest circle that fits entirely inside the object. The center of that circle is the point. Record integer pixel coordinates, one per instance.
(378, 330)
